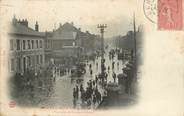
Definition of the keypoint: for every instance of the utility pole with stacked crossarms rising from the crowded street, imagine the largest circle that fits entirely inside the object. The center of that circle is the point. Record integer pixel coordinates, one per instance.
(102, 27)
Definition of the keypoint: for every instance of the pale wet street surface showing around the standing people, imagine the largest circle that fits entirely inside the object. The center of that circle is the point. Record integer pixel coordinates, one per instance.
(62, 96)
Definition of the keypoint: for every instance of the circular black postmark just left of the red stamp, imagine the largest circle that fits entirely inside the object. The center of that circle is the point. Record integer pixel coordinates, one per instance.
(150, 10)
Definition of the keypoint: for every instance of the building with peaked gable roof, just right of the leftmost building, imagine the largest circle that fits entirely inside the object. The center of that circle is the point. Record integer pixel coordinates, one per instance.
(61, 43)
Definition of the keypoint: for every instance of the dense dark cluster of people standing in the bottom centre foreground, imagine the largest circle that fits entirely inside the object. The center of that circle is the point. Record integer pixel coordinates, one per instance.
(92, 95)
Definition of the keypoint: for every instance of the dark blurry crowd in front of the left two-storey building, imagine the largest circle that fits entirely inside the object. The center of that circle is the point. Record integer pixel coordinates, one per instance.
(31, 86)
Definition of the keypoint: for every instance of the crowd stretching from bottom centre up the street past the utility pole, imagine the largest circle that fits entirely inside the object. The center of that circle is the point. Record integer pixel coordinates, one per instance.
(96, 87)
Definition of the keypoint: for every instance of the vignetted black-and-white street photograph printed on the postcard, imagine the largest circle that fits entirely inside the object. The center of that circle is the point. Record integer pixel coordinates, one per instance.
(68, 66)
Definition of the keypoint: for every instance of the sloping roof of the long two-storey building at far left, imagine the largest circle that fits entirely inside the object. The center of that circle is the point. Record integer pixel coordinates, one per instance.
(20, 29)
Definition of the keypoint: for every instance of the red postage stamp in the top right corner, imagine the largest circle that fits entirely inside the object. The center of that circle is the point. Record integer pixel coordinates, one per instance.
(170, 15)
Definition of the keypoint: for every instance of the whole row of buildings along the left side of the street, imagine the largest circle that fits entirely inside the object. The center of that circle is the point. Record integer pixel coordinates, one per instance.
(31, 49)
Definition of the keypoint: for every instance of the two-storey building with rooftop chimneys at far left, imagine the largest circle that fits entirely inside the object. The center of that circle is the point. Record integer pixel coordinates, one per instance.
(26, 46)
